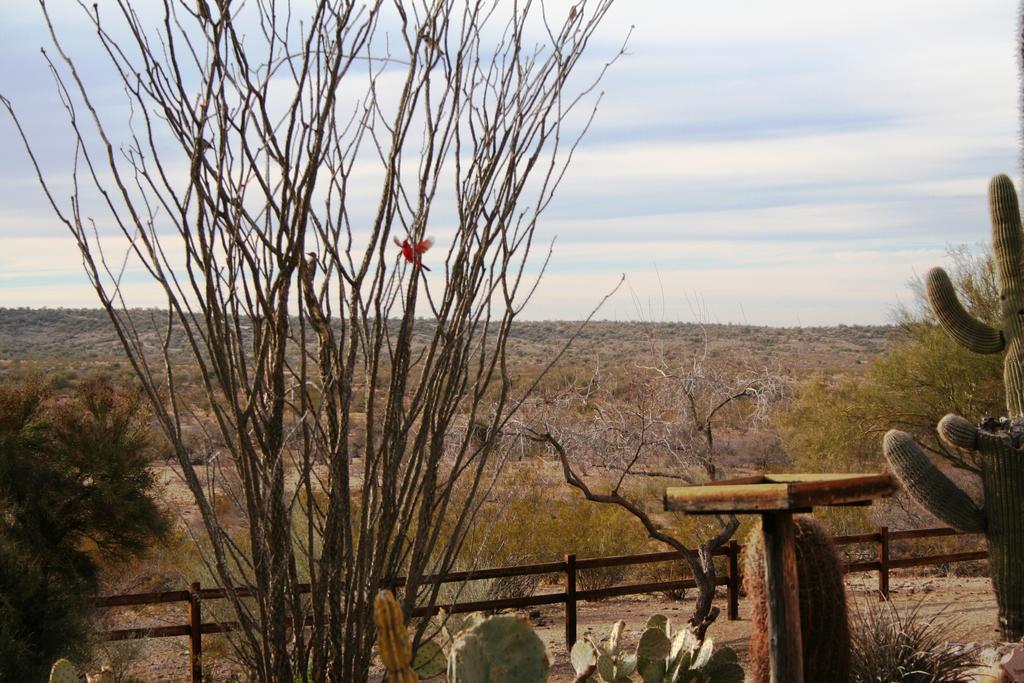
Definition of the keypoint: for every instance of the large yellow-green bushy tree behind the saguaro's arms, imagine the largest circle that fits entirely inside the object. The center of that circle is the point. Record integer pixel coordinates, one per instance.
(837, 423)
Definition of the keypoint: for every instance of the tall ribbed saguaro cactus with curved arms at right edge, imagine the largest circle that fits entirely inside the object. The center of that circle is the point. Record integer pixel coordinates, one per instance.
(999, 443)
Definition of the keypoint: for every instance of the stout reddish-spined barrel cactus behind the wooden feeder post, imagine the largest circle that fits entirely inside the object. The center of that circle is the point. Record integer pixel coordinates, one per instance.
(824, 625)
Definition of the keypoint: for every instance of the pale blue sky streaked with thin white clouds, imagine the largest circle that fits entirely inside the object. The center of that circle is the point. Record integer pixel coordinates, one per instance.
(776, 163)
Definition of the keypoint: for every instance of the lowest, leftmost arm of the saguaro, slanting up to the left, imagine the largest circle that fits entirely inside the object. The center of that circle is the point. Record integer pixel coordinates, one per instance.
(933, 490)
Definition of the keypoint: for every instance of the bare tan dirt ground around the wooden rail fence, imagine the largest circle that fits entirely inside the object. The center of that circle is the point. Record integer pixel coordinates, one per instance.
(967, 602)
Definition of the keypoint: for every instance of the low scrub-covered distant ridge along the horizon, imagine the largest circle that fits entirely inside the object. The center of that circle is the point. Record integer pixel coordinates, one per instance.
(58, 339)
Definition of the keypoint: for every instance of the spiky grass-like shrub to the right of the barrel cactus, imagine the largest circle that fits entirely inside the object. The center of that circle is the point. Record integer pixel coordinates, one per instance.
(907, 648)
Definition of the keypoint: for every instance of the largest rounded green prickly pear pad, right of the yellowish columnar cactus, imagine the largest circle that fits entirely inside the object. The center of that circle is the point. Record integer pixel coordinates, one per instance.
(499, 650)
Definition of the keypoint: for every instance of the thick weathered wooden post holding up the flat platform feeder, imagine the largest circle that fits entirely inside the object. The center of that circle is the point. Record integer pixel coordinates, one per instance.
(785, 643)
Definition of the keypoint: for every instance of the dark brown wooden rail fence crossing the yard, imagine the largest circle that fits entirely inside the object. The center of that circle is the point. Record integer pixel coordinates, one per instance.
(570, 596)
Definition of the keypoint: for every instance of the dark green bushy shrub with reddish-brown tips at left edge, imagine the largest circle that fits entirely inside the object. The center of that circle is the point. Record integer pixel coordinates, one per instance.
(74, 490)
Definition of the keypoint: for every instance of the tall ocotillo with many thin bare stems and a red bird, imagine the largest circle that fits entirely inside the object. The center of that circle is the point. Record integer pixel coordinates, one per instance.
(252, 135)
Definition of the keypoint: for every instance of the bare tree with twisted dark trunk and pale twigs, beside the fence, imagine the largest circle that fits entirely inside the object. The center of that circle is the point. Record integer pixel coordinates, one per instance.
(657, 420)
